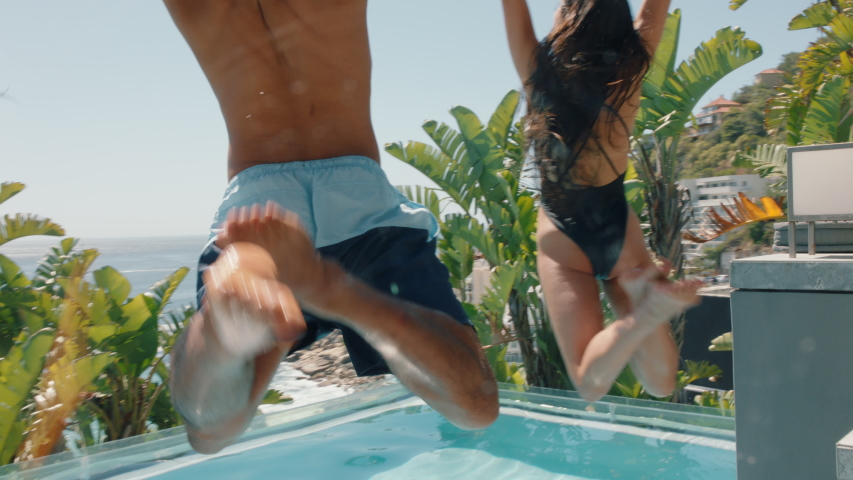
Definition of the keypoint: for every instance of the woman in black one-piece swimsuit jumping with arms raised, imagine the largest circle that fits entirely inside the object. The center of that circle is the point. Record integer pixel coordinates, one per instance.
(583, 89)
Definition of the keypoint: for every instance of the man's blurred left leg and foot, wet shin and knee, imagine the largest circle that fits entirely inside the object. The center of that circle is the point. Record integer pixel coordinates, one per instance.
(216, 389)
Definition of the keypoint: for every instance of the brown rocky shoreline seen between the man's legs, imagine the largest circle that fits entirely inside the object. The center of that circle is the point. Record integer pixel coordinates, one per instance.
(328, 363)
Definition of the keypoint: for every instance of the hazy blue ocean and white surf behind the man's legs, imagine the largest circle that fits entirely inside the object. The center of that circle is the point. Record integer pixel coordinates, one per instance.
(146, 260)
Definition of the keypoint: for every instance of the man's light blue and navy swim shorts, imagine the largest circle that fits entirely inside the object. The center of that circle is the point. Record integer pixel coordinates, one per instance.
(357, 219)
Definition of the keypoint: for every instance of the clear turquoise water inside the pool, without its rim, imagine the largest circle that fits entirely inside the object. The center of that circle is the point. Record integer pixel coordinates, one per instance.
(416, 442)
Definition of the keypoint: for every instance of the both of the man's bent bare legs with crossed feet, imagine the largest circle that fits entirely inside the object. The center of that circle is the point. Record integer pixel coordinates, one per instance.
(217, 391)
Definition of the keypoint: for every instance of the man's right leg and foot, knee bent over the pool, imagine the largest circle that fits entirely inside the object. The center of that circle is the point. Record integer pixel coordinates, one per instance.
(435, 356)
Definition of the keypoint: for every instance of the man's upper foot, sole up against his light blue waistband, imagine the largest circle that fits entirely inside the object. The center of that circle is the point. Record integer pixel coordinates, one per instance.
(280, 233)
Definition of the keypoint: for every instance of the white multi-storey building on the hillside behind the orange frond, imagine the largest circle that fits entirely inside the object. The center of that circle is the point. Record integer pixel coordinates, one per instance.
(710, 192)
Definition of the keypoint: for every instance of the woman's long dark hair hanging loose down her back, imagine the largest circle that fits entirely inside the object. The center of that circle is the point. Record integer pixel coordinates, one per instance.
(587, 67)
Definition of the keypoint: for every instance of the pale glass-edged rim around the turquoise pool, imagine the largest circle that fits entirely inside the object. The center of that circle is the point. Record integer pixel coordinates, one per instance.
(128, 457)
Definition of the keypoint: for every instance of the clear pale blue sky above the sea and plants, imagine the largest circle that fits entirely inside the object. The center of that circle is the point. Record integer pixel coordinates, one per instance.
(110, 123)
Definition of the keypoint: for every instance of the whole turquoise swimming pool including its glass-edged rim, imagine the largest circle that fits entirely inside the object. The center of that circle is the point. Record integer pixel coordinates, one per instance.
(386, 433)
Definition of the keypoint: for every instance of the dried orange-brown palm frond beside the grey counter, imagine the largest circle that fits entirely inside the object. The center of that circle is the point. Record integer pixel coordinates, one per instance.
(743, 212)
